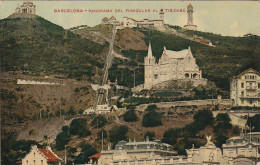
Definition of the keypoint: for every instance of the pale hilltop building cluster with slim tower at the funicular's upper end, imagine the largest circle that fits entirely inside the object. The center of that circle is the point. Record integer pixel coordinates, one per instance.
(132, 23)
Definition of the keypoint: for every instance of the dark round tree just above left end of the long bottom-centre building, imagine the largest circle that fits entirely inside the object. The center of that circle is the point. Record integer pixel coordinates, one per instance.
(118, 133)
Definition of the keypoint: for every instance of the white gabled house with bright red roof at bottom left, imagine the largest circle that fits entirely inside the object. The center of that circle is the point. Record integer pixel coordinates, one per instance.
(40, 156)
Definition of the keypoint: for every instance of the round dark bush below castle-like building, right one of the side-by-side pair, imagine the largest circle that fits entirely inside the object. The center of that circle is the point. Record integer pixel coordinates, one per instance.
(152, 119)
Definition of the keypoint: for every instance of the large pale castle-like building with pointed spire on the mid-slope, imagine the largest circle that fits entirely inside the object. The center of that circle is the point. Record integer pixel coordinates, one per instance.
(173, 65)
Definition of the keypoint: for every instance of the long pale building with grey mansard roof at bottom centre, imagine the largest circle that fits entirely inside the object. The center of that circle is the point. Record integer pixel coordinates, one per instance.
(137, 153)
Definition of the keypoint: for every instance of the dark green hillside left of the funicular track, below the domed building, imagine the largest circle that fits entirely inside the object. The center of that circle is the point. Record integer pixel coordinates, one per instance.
(39, 47)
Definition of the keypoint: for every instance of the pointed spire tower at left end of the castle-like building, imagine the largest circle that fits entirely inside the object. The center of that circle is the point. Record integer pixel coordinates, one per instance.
(149, 62)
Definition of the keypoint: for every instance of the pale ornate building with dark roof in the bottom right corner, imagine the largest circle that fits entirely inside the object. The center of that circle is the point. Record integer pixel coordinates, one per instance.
(247, 145)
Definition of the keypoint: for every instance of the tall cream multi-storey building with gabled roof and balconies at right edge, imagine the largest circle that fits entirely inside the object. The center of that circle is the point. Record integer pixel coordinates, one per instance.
(245, 89)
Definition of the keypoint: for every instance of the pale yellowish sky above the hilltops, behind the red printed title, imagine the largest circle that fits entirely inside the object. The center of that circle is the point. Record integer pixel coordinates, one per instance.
(228, 18)
